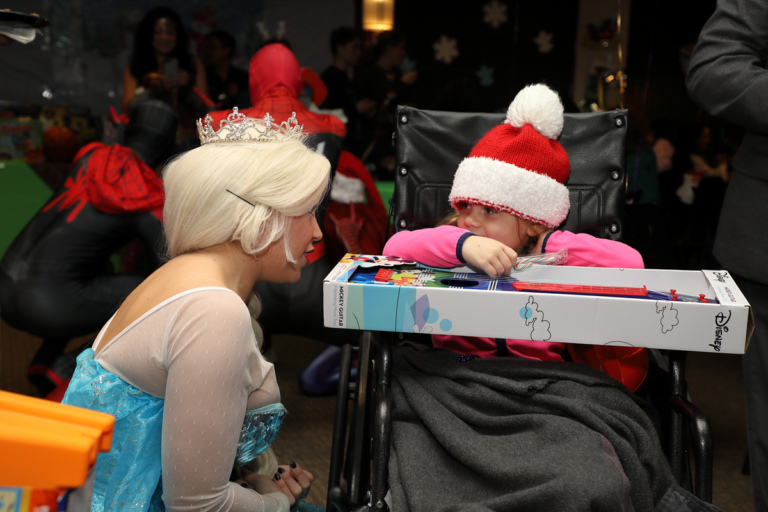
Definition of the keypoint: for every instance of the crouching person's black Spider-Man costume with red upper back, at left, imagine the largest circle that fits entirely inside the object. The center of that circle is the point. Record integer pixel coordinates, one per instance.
(56, 278)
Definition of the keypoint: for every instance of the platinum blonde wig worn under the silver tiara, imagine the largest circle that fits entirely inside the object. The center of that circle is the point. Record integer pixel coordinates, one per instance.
(242, 191)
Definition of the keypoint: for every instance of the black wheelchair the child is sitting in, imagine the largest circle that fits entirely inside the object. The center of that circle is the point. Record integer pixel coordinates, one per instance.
(429, 146)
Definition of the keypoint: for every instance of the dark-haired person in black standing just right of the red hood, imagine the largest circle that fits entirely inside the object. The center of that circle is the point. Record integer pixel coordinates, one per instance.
(346, 48)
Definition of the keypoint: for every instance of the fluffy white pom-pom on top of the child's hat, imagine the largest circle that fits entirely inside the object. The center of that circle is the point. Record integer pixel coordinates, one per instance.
(539, 106)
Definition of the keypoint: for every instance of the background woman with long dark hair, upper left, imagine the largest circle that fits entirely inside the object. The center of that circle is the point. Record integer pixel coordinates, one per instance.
(162, 67)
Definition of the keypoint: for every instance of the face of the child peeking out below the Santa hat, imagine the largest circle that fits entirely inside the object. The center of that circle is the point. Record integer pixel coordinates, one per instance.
(501, 226)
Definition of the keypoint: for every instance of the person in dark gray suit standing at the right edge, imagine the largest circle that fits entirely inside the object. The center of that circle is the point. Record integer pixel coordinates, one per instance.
(727, 76)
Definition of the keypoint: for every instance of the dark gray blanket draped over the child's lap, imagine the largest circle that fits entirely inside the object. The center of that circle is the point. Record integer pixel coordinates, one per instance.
(515, 434)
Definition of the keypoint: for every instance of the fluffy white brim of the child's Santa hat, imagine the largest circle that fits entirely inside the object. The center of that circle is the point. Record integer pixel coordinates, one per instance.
(506, 187)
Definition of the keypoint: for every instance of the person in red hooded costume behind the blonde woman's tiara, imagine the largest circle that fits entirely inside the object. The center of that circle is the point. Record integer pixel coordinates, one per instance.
(275, 85)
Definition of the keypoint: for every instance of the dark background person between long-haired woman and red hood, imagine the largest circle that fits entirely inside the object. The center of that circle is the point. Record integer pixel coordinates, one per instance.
(227, 84)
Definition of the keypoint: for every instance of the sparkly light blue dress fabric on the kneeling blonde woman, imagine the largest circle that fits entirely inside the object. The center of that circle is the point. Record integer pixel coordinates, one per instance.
(128, 477)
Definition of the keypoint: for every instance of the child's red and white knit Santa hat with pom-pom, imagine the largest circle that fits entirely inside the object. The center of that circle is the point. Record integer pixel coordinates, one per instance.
(519, 167)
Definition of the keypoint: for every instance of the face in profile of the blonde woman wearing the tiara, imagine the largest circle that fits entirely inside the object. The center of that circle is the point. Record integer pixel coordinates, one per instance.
(304, 233)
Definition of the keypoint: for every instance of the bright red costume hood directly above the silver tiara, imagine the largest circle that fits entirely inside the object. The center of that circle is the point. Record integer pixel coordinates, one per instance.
(273, 65)
